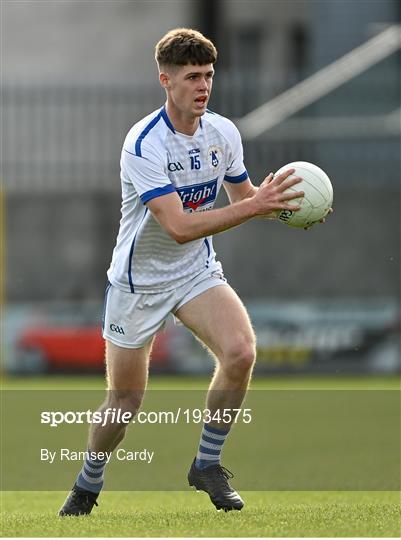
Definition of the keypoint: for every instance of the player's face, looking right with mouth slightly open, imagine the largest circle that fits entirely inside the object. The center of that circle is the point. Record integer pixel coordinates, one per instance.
(188, 89)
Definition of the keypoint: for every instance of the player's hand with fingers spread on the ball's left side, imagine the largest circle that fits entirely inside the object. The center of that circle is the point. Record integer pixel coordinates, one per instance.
(272, 197)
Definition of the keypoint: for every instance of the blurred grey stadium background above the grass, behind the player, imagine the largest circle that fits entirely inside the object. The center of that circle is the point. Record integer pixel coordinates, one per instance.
(76, 76)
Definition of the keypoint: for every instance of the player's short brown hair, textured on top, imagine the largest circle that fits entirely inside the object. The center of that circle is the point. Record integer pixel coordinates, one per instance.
(183, 46)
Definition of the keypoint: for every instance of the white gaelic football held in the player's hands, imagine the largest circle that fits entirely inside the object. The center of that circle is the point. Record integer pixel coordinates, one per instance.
(318, 197)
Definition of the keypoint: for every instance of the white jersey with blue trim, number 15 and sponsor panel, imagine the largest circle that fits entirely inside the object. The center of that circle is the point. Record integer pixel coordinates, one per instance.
(157, 160)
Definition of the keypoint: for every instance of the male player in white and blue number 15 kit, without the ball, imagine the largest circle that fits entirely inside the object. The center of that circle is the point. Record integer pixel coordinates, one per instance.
(173, 165)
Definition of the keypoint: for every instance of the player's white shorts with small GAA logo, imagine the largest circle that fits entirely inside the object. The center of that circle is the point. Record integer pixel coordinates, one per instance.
(131, 319)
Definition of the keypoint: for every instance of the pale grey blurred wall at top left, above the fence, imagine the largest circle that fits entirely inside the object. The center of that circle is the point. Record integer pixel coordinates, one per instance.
(91, 41)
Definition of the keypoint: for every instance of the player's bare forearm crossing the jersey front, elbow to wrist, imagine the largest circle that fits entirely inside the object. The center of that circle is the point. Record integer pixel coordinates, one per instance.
(200, 224)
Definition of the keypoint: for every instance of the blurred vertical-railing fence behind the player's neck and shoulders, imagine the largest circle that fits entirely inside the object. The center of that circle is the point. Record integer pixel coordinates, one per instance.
(69, 138)
